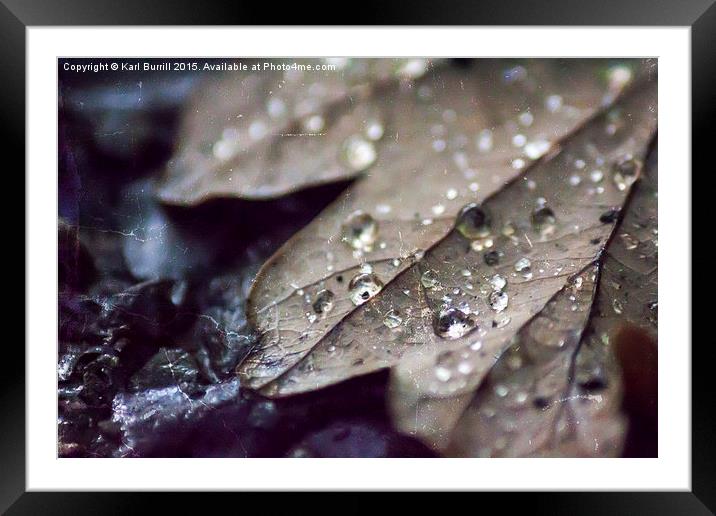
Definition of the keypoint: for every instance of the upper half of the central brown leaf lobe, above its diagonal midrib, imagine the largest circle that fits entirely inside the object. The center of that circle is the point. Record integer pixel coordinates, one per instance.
(409, 202)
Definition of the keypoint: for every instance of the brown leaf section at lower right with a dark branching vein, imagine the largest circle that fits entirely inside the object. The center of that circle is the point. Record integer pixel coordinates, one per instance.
(564, 401)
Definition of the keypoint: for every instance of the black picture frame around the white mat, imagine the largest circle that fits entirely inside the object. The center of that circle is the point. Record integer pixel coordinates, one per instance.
(17, 15)
